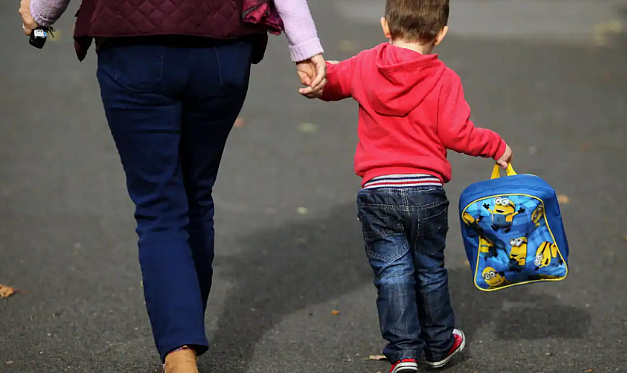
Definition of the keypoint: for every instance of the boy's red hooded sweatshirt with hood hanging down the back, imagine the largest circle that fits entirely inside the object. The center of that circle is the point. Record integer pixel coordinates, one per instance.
(411, 110)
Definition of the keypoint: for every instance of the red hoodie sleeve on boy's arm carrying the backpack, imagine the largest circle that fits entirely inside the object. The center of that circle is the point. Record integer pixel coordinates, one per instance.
(456, 130)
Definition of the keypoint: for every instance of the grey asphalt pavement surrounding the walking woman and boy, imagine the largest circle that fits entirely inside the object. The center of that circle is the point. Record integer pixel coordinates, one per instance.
(548, 75)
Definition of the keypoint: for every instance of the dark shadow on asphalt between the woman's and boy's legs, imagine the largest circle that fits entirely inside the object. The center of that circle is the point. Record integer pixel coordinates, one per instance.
(282, 271)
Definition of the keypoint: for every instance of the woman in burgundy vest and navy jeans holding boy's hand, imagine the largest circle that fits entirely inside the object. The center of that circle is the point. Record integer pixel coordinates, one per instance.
(173, 77)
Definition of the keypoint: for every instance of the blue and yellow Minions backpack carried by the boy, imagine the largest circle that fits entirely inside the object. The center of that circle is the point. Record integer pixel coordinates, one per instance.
(513, 231)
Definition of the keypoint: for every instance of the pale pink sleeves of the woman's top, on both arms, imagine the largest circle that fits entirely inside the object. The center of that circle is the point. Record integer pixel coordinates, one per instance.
(299, 26)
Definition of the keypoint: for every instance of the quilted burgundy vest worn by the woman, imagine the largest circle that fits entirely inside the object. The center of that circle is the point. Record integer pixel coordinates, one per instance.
(215, 19)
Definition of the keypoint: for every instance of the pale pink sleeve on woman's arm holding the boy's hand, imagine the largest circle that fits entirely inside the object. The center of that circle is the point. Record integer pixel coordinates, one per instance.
(299, 28)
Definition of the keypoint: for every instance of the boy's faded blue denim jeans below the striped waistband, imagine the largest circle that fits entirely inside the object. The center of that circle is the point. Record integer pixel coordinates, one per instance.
(405, 234)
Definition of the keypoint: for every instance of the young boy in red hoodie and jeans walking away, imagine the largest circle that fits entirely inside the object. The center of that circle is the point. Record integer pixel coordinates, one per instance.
(411, 110)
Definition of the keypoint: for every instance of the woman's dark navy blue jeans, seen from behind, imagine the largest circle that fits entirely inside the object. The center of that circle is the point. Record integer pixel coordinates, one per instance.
(171, 104)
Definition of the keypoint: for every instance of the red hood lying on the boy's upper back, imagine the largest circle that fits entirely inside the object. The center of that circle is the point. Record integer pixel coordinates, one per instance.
(405, 78)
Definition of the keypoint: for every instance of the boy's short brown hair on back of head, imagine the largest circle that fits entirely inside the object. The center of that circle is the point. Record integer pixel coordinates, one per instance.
(416, 20)
